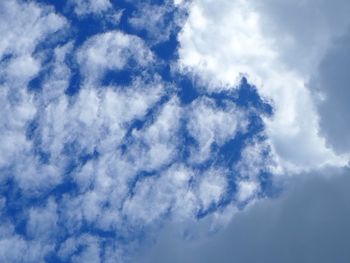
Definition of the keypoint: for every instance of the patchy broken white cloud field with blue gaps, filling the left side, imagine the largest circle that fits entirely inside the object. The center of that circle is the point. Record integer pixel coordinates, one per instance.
(90, 162)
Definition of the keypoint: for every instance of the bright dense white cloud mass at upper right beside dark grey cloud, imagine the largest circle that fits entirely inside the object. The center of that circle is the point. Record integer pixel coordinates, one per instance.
(278, 46)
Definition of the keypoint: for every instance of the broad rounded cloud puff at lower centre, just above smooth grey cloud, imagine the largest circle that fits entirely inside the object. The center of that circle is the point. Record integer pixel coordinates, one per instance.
(170, 192)
